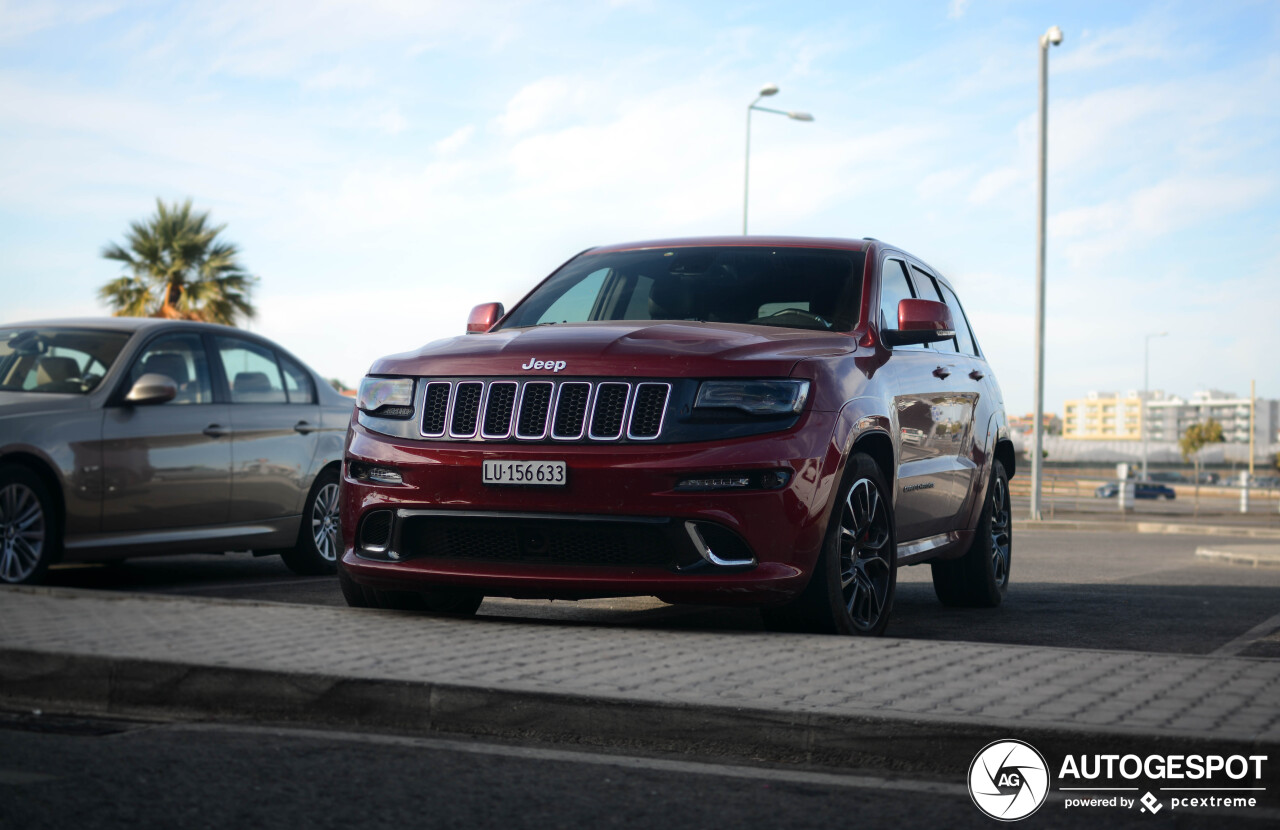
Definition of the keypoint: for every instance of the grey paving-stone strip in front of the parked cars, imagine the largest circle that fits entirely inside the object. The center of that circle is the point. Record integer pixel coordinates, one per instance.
(797, 676)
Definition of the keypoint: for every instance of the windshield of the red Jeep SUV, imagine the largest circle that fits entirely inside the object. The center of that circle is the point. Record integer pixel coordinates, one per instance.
(807, 289)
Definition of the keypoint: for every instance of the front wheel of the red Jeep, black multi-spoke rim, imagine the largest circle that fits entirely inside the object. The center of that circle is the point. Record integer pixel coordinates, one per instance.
(854, 581)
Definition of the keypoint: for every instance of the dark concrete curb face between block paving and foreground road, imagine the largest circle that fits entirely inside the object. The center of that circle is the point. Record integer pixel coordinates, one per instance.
(168, 691)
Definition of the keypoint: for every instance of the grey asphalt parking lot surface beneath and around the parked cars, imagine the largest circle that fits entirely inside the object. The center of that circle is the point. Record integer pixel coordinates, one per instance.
(1075, 590)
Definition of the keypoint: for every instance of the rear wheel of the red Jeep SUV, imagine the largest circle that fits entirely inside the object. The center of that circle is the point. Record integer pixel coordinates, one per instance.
(981, 577)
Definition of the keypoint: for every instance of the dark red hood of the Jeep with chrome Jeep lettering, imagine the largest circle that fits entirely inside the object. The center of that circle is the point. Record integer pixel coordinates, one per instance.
(621, 349)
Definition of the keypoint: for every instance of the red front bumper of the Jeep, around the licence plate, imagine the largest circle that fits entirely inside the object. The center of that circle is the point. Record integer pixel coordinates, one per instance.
(619, 527)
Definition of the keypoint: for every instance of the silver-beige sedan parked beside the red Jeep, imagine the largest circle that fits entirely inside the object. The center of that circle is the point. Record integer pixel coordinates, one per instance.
(126, 437)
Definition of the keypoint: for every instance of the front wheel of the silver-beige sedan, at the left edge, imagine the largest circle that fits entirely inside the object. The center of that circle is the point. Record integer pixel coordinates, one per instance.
(30, 533)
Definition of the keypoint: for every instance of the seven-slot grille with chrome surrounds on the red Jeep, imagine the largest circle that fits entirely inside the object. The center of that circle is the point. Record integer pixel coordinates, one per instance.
(545, 411)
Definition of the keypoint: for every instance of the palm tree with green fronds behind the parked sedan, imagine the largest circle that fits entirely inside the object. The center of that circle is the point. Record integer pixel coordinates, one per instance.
(179, 270)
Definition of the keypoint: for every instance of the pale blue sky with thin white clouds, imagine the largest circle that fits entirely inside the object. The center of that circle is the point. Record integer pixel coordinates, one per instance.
(387, 165)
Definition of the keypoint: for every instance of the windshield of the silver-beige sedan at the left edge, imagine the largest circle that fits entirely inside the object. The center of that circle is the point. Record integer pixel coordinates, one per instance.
(61, 361)
